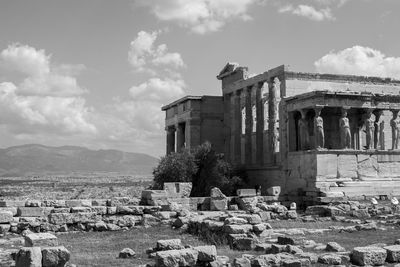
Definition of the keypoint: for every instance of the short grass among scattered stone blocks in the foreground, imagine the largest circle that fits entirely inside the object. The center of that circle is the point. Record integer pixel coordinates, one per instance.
(102, 248)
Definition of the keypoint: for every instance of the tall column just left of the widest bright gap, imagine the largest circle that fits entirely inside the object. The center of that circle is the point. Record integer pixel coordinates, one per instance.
(260, 125)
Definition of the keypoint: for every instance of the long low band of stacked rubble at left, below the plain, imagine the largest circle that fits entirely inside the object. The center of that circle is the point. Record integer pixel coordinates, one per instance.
(78, 215)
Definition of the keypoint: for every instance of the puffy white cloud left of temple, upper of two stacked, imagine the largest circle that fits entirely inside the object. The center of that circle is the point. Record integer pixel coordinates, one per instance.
(143, 53)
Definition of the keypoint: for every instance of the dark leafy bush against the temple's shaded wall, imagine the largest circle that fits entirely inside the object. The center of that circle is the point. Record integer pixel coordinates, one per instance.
(175, 167)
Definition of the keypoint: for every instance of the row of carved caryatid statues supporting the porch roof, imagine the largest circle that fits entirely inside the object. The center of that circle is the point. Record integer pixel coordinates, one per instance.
(374, 129)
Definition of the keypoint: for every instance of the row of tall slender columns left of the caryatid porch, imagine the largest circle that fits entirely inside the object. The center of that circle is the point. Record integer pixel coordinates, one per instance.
(263, 139)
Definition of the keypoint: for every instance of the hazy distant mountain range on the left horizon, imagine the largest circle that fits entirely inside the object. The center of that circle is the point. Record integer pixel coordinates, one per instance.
(38, 159)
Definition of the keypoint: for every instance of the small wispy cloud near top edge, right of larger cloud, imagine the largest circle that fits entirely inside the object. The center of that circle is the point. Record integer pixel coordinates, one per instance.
(308, 12)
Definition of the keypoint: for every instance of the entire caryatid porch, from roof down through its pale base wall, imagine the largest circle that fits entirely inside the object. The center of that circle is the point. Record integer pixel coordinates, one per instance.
(344, 143)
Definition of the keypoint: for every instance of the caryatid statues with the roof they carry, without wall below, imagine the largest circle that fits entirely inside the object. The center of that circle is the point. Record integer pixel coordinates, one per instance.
(343, 120)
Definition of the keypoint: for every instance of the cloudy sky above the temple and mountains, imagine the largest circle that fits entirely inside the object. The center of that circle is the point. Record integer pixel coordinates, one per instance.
(95, 73)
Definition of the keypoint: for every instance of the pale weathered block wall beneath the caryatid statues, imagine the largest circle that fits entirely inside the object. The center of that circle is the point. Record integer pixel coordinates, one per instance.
(344, 173)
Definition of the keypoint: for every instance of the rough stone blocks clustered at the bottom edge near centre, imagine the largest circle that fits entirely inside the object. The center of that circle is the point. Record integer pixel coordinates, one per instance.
(171, 253)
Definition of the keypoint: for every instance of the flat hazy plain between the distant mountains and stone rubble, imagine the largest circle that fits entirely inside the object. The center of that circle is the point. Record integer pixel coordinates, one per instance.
(73, 186)
